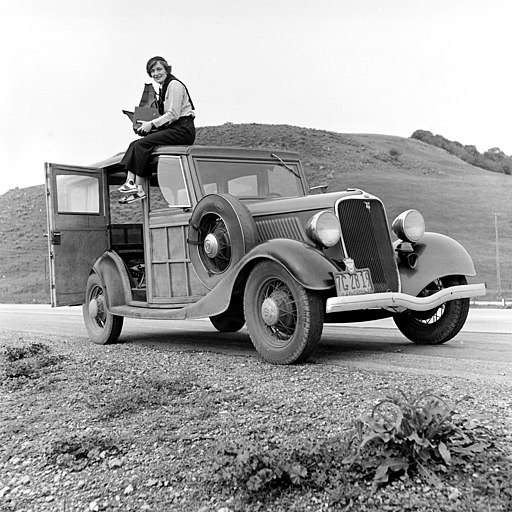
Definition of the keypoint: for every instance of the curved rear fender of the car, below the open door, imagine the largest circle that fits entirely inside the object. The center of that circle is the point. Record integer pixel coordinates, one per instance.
(113, 274)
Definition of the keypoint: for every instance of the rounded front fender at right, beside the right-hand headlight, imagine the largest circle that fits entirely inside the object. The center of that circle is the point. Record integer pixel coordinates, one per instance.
(438, 256)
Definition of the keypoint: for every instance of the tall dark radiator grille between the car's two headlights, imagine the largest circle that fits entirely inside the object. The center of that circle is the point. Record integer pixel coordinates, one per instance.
(367, 240)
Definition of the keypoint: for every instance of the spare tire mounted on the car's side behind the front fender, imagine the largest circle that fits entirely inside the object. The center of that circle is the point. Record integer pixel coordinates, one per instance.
(221, 232)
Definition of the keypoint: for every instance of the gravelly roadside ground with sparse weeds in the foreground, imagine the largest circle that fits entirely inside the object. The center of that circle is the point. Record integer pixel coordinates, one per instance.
(130, 428)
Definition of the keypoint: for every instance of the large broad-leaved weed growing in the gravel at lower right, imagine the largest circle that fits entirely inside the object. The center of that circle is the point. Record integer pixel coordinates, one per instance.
(405, 434)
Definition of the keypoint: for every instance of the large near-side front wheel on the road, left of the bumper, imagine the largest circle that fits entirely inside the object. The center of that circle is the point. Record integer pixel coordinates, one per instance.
(284, 319)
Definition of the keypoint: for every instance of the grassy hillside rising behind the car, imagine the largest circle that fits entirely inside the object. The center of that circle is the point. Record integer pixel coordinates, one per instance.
(455, 198)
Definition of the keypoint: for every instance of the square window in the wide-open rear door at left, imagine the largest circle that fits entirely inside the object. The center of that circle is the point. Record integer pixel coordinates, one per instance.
(77, 194)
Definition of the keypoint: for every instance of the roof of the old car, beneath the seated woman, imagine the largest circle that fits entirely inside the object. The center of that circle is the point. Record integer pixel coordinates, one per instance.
(207, 151)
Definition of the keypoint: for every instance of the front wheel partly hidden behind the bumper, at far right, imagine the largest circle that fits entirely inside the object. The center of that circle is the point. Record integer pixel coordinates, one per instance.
(437, 325)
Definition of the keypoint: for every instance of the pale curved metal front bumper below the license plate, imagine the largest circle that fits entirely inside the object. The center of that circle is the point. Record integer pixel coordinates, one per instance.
(398, 302)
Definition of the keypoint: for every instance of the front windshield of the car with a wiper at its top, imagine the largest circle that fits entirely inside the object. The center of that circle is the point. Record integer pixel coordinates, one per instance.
(250, 180)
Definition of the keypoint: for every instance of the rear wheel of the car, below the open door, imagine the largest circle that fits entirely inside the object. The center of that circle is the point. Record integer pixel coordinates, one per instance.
(103, 327)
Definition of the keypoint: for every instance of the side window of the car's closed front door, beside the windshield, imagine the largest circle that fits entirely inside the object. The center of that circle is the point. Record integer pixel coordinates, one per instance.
(171, 181)
